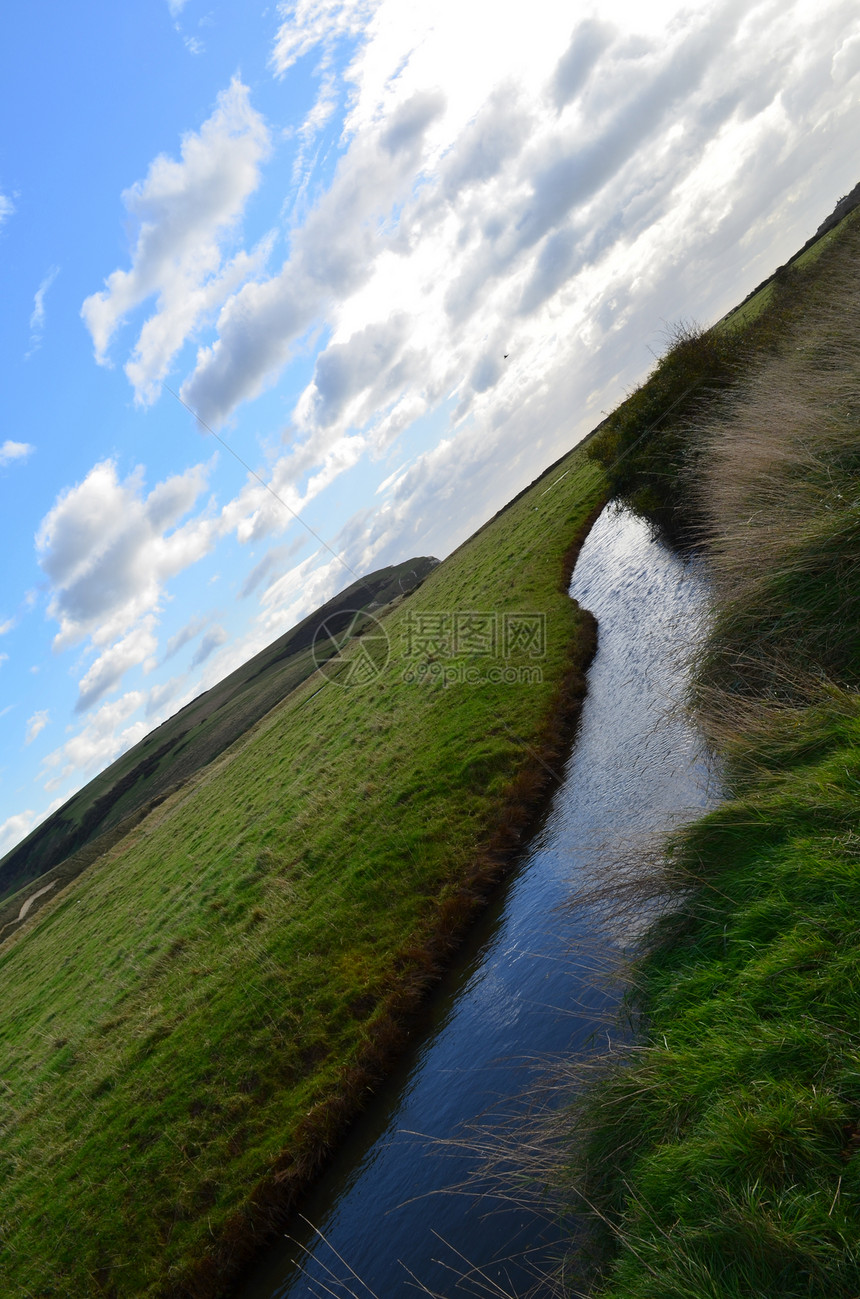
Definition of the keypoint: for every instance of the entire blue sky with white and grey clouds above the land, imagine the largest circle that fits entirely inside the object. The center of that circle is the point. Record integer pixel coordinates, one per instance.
(396, 257)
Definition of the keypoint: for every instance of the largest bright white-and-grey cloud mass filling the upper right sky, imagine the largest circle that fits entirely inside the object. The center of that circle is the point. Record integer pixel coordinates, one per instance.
(528, 208)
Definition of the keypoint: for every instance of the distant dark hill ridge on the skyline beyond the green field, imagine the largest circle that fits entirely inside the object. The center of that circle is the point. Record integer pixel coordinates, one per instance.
(192, 738)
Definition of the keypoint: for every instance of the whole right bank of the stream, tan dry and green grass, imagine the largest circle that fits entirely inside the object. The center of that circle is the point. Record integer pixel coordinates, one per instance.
(723, 1159)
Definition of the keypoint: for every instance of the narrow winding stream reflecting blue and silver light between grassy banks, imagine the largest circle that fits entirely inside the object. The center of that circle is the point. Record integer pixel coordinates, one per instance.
(398, 1215)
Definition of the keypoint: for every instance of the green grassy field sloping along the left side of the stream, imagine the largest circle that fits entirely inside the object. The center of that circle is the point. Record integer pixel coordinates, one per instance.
(188, 1027)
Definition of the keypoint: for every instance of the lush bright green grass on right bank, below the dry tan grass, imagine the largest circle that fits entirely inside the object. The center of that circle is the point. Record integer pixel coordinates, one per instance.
(726, 1157)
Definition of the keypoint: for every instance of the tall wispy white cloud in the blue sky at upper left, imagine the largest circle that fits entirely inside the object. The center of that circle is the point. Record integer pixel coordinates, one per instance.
(185, 212)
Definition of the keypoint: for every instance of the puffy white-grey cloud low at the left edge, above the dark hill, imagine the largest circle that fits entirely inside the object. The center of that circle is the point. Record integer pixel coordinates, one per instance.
(108, 549)
